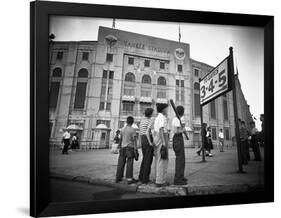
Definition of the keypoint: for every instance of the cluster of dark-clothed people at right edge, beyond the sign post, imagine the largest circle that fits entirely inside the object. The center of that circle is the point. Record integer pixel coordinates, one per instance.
(250, 138)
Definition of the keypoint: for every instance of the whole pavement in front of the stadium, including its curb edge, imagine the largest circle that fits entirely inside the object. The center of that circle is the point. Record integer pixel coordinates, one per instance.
(216, 176)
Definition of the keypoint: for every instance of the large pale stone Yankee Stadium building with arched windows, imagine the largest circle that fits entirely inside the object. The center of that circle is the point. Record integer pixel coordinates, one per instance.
(95, 85)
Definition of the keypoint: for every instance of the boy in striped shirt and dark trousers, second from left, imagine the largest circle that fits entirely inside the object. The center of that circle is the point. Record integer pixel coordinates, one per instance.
(146, 141)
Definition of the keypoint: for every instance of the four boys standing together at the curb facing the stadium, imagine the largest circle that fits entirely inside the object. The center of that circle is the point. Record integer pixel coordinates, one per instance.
(153, 138)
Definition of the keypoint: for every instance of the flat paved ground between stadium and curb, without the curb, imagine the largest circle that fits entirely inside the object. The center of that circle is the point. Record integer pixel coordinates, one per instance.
(101, 164)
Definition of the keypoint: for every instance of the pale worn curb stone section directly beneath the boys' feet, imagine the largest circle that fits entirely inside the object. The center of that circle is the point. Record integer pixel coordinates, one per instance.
(171, 190)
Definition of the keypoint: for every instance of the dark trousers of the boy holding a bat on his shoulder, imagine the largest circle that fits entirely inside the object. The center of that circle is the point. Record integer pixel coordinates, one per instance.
(178, 146)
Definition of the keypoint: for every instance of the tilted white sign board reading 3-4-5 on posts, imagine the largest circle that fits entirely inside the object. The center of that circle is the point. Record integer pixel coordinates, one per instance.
(215, 83)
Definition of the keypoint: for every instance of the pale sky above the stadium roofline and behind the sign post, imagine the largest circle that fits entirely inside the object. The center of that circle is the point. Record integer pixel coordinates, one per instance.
(208, 43)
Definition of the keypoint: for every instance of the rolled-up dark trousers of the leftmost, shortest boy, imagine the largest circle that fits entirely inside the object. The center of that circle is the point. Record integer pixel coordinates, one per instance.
(126, 154)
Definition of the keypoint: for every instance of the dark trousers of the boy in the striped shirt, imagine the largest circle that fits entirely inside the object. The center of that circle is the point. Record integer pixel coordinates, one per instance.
(147, 152)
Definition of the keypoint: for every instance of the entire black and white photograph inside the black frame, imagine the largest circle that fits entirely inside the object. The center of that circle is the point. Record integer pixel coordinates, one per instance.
(148, 109)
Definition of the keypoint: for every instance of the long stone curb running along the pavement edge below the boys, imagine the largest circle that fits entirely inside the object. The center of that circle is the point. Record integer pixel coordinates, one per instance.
(171, 190)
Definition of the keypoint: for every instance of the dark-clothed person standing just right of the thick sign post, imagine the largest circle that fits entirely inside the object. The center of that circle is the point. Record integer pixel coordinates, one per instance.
(244, 135)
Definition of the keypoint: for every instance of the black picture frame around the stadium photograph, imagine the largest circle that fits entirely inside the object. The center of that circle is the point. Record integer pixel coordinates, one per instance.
(39, 110)
